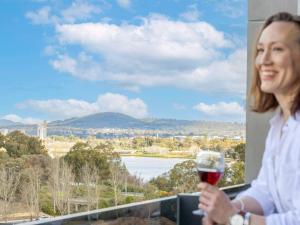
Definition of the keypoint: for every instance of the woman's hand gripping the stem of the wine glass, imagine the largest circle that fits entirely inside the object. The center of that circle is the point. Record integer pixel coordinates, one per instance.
(215, 203)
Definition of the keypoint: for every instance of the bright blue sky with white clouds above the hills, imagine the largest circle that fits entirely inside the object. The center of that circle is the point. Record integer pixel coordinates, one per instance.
(179, 59)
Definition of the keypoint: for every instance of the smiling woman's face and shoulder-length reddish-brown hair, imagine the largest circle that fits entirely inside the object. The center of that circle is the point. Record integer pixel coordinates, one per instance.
(277, 70)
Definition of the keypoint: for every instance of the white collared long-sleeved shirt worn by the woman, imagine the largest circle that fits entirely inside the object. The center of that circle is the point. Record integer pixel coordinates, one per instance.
(277, 187)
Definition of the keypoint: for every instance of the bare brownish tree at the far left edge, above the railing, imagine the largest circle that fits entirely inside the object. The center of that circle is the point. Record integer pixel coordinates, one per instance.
(9, 180)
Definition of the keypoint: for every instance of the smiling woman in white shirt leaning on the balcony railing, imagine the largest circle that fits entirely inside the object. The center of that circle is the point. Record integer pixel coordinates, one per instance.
(274, 197)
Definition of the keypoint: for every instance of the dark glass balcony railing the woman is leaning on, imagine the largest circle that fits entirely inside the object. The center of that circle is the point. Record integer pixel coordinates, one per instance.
(174, 210)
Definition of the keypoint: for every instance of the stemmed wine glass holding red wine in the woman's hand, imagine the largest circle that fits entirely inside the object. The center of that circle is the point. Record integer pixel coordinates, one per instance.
(210, 168)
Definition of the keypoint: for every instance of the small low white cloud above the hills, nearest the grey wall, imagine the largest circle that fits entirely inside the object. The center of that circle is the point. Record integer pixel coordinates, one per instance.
(231, 110)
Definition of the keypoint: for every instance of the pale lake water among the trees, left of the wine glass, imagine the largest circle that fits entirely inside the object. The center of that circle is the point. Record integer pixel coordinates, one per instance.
(147, 167)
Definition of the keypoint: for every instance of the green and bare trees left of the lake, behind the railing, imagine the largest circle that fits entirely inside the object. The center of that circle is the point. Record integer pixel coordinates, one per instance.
(84, 179)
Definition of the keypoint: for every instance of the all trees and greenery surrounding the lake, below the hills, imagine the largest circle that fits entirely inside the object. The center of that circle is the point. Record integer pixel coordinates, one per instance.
(92, 175)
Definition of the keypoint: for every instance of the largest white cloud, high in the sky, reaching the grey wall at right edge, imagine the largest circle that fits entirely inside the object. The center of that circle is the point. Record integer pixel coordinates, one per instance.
(158, 52)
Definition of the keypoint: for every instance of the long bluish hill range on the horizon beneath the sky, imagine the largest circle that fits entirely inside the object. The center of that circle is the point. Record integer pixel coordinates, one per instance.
(113, 120)
